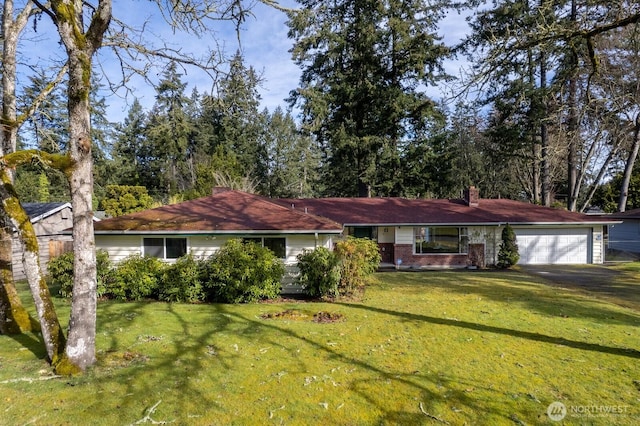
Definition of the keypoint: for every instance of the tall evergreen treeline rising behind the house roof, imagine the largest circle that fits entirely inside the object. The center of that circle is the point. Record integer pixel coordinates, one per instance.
(554, 121)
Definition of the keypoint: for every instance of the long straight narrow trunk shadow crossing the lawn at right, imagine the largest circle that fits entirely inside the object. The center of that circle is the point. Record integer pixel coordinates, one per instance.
(594, 347)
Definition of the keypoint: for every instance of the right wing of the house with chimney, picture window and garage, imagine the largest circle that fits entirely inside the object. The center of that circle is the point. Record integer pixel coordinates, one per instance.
(423, 233)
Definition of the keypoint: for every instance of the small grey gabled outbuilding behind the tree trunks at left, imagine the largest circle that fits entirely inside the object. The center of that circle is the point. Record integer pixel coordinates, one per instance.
(49, 220)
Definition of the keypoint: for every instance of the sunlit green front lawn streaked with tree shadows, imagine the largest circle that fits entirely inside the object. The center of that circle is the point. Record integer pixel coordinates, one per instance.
(485, 348)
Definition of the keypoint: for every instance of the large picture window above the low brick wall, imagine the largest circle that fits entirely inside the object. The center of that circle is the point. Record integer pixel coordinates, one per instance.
(446, 239)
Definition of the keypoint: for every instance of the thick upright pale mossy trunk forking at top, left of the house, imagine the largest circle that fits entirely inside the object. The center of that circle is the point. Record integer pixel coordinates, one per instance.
(81, 42)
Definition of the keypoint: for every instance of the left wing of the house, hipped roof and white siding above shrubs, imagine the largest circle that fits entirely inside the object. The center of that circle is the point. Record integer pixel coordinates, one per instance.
(202, 226)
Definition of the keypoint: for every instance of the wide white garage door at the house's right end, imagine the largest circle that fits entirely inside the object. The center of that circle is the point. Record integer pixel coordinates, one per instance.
(553, 246)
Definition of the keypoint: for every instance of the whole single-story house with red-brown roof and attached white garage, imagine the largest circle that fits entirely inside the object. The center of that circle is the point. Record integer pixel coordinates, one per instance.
(411, 233)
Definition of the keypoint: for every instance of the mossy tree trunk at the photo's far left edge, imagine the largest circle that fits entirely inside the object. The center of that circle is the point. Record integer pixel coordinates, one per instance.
(14, 318)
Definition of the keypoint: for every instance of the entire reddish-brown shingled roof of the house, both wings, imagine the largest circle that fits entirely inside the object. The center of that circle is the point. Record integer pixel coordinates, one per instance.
(236, 211)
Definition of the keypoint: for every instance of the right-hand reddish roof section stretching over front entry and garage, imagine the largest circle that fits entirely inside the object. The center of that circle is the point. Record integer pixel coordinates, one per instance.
(402, 211)
